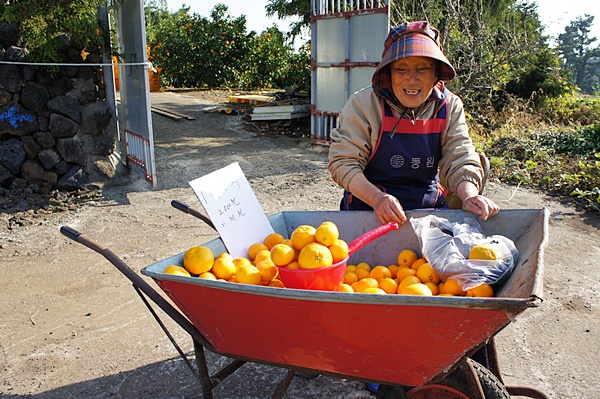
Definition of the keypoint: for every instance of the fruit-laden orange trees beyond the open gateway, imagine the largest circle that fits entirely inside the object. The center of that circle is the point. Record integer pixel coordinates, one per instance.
(195, 51)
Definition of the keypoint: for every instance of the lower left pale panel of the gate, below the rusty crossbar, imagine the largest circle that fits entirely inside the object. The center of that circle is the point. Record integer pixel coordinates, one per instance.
(331, 95)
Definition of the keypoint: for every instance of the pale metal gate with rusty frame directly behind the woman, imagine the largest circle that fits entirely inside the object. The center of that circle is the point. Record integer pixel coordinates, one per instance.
(347, 40)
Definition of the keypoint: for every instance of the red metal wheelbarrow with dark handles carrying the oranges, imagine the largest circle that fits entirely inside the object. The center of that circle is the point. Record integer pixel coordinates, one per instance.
(313, 332)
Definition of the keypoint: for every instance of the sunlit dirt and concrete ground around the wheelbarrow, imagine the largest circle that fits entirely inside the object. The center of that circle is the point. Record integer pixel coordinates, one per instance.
(71, 326)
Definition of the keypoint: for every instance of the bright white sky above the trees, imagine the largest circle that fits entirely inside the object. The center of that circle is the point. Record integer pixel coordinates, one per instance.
(554, 14)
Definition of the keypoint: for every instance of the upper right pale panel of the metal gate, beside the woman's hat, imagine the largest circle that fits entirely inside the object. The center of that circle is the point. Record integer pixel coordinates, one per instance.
(368, 32)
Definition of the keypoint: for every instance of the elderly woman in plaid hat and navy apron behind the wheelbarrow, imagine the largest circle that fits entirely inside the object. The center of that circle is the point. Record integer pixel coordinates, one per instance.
(398, 136)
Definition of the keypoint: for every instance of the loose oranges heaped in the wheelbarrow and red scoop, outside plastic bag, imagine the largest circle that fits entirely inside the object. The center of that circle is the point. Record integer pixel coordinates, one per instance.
(310, 248)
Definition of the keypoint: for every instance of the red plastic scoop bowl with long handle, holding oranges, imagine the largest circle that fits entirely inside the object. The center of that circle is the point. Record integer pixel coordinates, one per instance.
(329, 278)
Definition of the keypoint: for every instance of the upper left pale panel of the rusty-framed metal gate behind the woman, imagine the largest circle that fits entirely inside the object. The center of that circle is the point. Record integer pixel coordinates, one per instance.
(331, 40)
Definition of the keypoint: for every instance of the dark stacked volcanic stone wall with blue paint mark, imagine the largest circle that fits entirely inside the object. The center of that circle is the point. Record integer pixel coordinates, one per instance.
(55, 127)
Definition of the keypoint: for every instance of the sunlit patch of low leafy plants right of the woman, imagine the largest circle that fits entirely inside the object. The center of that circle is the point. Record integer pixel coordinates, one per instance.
(527, 148)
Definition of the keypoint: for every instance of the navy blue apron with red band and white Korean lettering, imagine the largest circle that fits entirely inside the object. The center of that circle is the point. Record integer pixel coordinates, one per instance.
(405, 160)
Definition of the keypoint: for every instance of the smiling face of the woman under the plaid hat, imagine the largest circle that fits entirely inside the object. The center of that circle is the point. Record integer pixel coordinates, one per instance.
(413, 79)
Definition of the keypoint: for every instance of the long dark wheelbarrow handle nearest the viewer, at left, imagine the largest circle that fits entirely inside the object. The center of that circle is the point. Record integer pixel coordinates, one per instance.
(138, 282)
